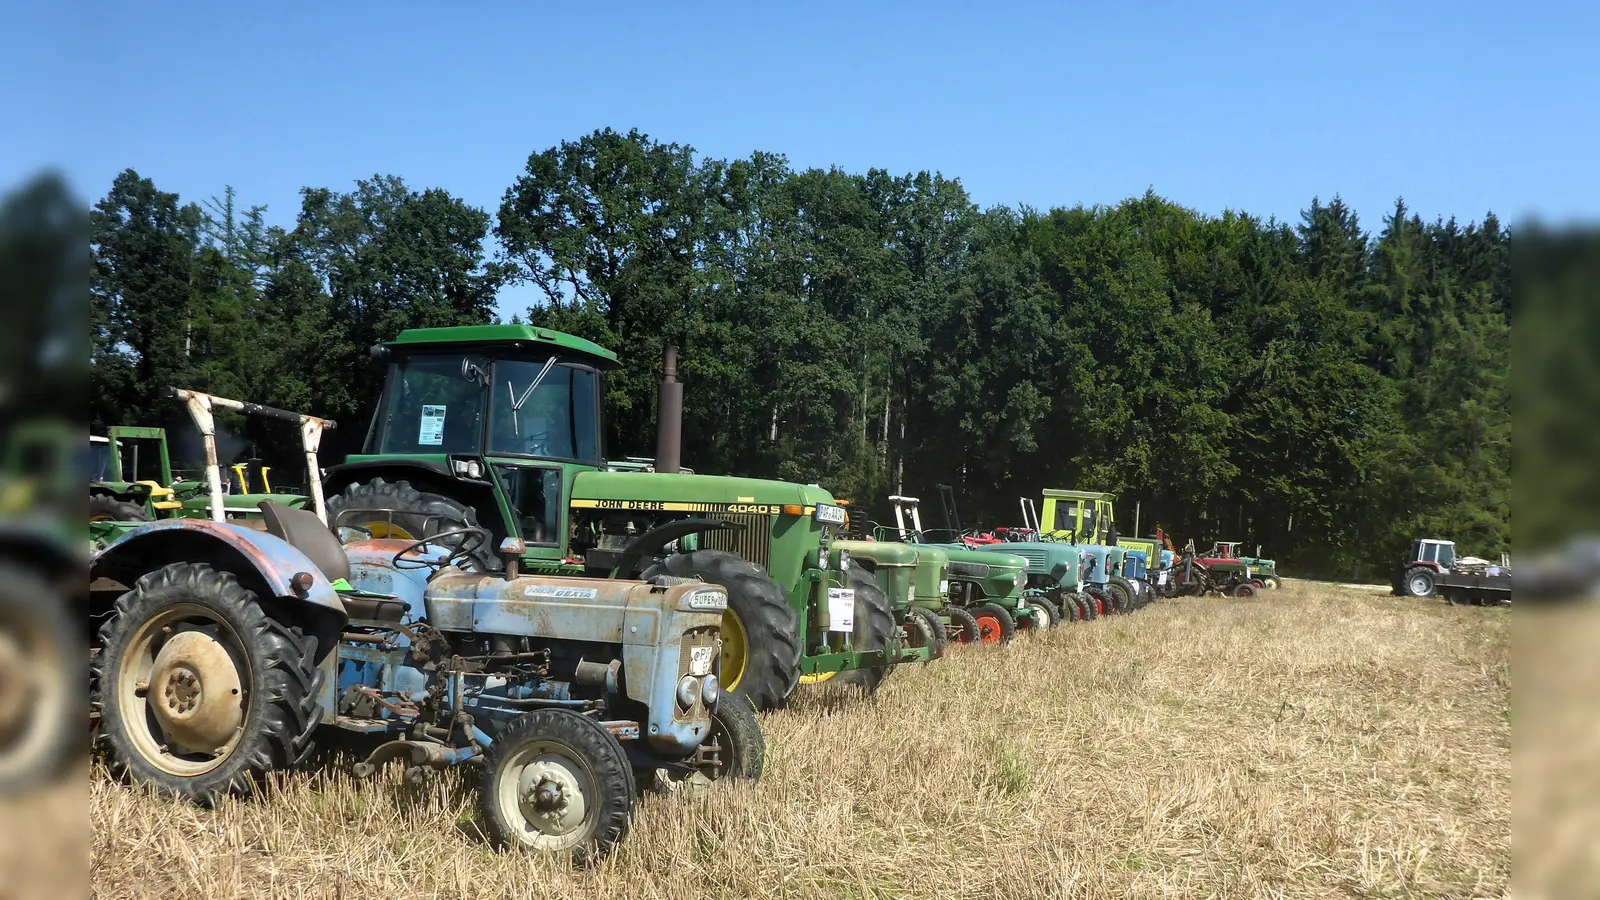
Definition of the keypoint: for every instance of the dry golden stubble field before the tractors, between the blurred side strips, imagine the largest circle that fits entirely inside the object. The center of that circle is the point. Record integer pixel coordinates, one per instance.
(1319, 742)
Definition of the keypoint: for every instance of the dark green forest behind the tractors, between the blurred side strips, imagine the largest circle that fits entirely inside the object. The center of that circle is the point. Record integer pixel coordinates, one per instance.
(1322, 388)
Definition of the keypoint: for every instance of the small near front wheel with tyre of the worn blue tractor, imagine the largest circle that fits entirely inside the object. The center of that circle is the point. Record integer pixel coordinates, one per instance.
(562, 752)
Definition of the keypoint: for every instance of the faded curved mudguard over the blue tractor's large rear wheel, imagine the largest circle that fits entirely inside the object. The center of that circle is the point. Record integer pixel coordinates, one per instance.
(263, 563)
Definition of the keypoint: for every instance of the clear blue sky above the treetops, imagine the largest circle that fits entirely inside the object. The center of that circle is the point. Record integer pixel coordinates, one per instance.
(1462, 108)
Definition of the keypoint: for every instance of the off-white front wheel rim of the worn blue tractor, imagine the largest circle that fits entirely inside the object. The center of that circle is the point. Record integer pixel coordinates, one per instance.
(546, 794)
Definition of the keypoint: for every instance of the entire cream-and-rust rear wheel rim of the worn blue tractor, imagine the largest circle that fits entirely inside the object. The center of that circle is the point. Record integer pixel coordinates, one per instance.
(183, 691)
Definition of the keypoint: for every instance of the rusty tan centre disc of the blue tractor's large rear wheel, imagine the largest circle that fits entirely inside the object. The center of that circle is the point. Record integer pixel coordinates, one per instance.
(196, 693)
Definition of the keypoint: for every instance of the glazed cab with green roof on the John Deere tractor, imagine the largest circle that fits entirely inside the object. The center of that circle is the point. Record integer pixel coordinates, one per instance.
(497, 417)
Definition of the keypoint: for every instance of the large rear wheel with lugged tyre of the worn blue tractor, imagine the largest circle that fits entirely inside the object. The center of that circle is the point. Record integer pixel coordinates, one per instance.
(201, 691)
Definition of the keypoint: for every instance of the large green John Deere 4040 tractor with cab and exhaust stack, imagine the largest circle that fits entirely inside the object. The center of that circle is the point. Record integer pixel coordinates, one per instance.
(502, 427)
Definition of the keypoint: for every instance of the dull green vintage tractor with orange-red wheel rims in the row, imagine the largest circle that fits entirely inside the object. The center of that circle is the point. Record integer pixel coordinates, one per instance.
(986, 600)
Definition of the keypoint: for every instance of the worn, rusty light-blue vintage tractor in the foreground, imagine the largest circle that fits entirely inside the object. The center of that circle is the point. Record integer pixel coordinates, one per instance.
(225, 649)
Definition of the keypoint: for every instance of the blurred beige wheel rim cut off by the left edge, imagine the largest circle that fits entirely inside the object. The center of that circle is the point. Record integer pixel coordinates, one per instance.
(33, 693)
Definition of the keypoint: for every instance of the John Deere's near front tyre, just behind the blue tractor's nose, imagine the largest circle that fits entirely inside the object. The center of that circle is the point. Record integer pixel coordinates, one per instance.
(759, 632)
